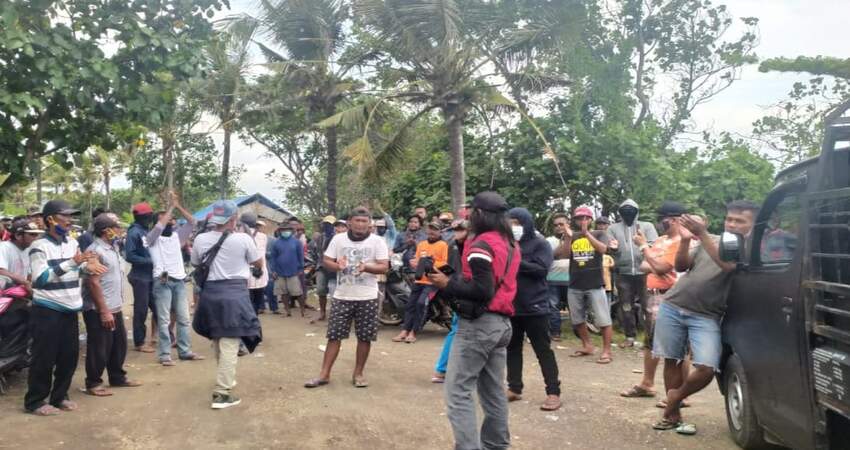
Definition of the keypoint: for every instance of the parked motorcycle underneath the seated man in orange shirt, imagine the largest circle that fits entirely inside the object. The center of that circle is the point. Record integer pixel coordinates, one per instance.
(396, 294)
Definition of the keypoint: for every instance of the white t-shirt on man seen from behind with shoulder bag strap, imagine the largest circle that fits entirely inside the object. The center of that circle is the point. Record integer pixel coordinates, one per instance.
(232, 260)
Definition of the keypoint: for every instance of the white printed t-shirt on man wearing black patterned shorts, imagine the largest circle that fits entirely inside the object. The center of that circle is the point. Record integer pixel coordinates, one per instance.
(351, 284)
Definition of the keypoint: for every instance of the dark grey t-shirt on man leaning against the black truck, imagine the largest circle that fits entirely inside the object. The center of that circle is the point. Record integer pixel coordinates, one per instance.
(702, 290)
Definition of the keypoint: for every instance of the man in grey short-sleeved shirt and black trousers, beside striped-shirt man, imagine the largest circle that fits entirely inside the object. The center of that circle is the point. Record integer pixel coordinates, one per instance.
(103, 297)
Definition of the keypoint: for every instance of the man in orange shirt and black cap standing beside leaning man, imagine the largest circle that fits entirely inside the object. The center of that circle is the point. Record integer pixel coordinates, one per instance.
(659, 261)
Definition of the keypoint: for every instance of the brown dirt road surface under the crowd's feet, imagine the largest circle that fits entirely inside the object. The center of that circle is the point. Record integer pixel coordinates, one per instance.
(401, 408)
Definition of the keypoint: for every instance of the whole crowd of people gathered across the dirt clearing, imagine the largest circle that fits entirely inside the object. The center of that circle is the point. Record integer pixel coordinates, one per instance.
(503, 280)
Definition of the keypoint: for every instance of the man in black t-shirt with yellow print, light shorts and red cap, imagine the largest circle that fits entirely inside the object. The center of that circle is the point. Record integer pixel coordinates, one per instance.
(585, 249)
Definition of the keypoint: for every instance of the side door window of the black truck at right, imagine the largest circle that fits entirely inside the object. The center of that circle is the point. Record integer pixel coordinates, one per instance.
(781, 232)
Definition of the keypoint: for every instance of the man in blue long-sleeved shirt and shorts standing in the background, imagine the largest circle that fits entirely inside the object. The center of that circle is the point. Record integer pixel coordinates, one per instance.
(287, 264)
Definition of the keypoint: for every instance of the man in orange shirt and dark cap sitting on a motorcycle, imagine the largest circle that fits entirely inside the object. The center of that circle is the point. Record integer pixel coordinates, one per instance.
(431, 254)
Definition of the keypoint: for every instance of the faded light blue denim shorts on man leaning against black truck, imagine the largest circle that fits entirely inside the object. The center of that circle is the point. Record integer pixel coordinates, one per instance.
(676, 328)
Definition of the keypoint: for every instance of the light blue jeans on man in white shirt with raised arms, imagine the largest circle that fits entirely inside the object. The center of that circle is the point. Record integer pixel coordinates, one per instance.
(170, 295)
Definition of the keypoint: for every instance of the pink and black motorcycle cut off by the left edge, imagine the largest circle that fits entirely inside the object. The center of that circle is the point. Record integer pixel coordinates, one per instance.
(15, 340)
